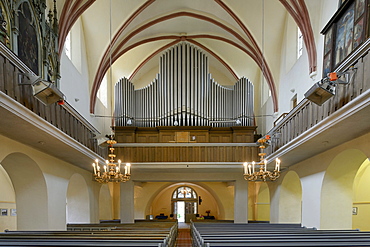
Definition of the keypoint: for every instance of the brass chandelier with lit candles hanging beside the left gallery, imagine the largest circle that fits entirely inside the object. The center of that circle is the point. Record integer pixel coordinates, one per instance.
(111, 171)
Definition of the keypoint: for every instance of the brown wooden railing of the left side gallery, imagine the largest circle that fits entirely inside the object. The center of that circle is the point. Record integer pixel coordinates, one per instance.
(63, 117)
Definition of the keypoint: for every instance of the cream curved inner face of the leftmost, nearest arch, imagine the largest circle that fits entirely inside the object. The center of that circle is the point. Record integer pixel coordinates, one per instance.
(30, 191)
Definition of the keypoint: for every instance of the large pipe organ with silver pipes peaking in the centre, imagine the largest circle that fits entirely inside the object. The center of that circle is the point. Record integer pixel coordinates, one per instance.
(184, 94)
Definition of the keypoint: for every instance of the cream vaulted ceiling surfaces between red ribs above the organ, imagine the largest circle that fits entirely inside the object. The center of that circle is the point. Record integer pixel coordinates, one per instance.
(104, 18)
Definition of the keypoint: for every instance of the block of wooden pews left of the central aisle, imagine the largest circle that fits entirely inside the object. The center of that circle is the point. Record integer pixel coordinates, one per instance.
(162, 235)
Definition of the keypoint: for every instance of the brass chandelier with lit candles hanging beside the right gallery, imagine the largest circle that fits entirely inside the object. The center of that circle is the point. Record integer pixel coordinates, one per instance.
(254, 171)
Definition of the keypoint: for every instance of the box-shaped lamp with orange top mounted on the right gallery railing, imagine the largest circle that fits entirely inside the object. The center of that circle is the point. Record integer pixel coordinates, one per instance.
(323, 90)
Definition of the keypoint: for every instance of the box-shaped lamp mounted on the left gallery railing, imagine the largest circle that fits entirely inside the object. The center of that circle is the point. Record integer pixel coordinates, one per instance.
(44, 91)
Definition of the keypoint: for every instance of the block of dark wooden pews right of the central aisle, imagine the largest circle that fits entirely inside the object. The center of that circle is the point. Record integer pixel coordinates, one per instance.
(207, 234)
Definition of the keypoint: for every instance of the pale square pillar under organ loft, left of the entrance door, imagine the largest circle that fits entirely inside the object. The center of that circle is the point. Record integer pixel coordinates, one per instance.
(127, 202)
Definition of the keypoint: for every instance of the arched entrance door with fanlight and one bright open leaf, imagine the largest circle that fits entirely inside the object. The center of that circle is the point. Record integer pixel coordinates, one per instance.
(184, 203)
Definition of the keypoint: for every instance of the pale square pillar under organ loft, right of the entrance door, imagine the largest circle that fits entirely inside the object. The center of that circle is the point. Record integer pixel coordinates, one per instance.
(241, 201)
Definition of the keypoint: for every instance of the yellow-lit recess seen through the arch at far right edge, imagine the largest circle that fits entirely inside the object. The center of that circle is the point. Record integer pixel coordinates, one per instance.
(361, 198)
